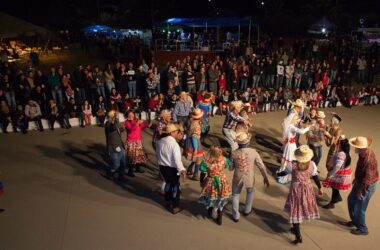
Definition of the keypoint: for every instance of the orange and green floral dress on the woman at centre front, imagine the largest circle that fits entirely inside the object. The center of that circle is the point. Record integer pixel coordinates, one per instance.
(216, 192)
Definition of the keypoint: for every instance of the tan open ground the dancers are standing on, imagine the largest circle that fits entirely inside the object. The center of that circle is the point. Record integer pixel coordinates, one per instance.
(56, 198)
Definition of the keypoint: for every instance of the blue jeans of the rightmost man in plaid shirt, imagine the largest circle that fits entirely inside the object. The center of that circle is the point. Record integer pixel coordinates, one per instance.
(357, 208)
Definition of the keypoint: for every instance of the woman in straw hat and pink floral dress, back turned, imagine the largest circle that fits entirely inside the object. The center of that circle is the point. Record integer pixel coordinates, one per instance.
(301, 203)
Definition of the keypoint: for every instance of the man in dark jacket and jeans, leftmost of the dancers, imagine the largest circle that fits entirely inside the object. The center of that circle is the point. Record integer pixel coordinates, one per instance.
(115, 146)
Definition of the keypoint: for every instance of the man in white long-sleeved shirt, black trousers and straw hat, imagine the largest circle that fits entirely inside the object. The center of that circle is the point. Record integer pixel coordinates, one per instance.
(171, 167)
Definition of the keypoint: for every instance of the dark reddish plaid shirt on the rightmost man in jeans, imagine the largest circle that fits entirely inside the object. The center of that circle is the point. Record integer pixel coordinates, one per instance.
(366, 172)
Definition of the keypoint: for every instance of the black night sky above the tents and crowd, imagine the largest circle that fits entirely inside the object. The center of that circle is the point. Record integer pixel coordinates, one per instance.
(138, 13)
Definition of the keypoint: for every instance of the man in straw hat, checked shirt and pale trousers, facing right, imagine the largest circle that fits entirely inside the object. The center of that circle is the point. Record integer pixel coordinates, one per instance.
(232, 119)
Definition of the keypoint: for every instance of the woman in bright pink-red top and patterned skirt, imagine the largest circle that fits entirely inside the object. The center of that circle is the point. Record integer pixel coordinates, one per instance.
(135, 151)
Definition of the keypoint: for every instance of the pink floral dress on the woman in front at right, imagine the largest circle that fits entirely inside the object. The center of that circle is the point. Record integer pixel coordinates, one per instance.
(301, 203)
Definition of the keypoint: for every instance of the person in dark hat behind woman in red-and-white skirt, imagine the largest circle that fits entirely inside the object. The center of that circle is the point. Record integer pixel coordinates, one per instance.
(331, 139)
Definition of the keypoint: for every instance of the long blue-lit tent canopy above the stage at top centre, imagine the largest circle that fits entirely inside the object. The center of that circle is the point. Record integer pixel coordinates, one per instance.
(208, 22)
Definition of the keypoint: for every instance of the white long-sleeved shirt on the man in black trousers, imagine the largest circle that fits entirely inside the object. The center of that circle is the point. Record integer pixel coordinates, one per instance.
(169, 153)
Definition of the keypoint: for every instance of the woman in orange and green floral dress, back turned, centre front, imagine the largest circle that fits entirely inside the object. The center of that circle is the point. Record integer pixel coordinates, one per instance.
(216, 192)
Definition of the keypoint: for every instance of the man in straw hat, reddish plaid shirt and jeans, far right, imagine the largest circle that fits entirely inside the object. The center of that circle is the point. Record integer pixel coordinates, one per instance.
(366, 176)
